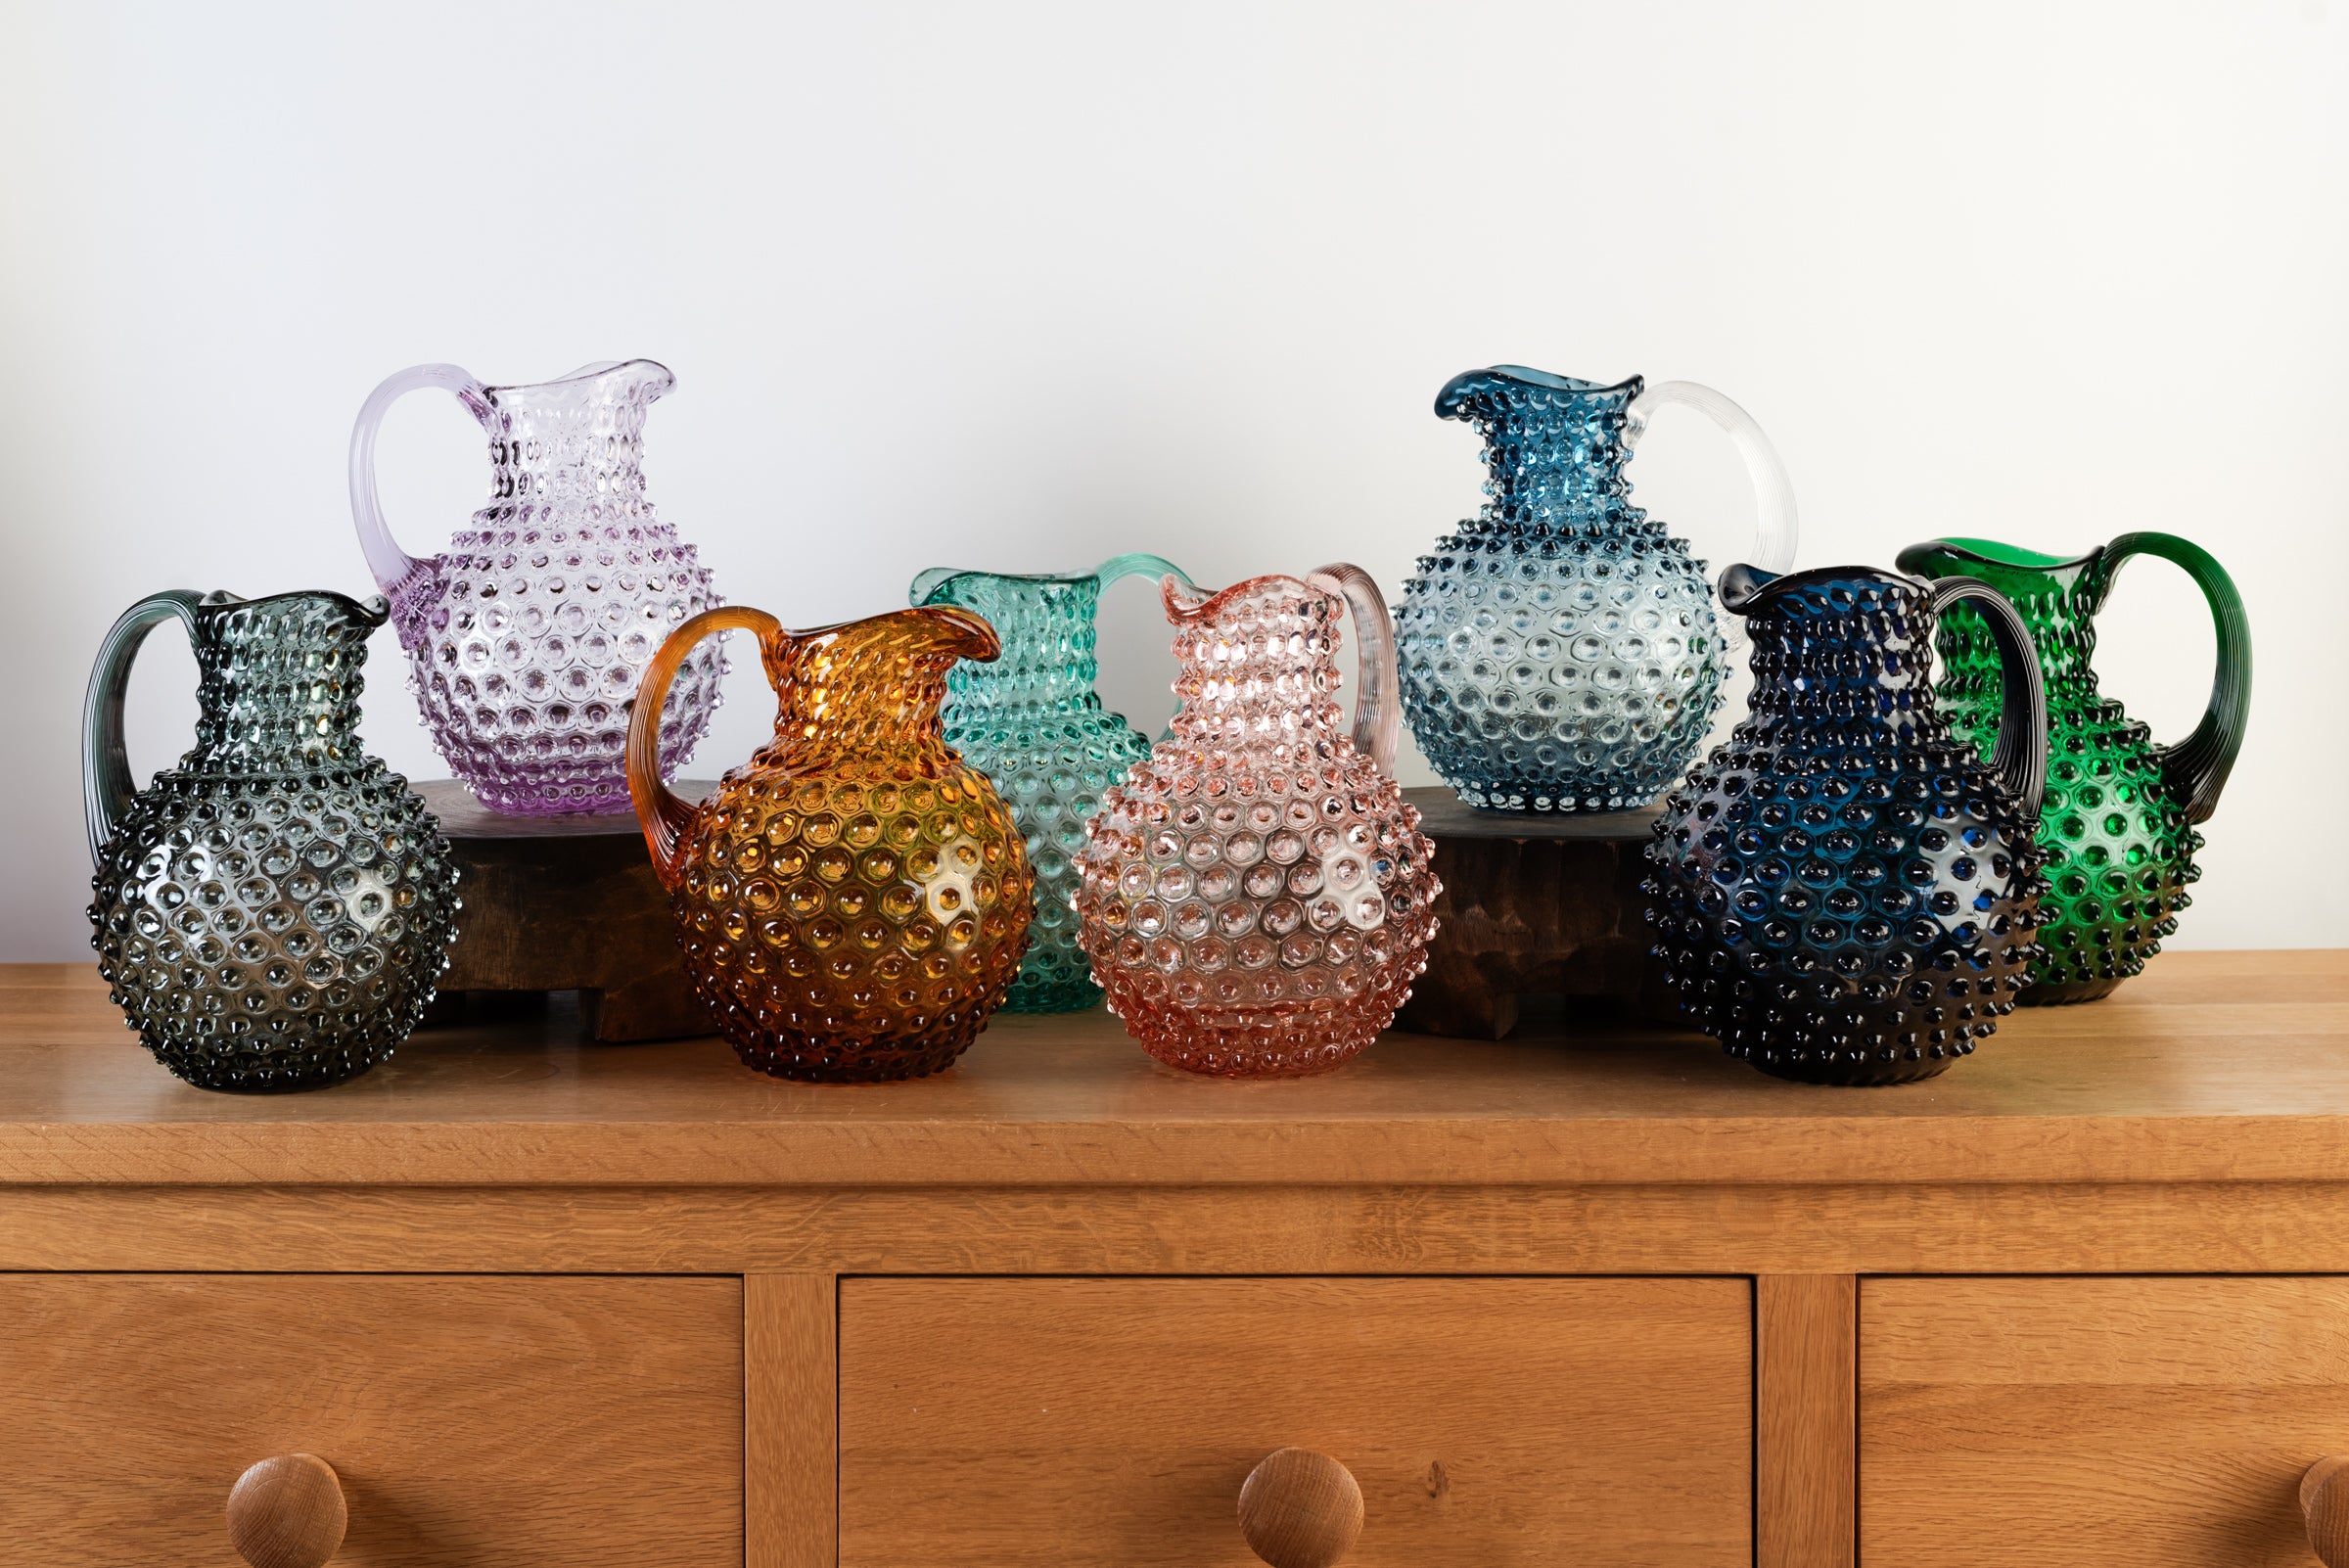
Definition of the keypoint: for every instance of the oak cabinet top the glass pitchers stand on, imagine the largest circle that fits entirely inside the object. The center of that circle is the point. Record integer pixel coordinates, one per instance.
(2214, 1067)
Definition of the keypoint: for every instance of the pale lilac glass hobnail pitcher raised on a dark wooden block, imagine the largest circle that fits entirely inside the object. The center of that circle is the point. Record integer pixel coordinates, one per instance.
(530, 633)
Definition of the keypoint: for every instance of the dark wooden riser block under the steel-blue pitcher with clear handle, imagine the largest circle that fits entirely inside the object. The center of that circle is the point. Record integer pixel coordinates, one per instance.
(1533, 905)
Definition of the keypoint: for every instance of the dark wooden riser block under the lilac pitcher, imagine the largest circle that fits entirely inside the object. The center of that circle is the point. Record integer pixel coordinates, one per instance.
(567, 905)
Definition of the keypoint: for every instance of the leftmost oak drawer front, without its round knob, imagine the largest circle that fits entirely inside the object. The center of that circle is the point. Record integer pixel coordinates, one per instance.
(502, 1421)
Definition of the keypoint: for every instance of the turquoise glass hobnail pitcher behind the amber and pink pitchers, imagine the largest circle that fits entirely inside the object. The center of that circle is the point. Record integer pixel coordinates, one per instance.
(1035, 726)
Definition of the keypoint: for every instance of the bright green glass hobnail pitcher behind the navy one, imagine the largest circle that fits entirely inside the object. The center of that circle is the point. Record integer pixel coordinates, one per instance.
(2120, 813)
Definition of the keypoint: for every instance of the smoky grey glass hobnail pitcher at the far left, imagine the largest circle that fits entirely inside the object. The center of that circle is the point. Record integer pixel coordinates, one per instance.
(274, 912)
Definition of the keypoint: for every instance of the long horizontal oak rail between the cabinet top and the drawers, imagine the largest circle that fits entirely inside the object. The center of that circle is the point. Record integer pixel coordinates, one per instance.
(1192, 1231)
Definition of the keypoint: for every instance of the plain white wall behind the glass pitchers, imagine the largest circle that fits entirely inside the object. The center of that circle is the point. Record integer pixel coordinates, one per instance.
(1030, 285)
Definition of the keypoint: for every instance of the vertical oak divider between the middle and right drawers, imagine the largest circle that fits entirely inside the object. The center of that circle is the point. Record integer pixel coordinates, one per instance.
(1805, 1445)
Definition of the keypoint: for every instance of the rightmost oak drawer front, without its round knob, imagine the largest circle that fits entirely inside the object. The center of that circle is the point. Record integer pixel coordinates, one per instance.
(2092, 1424)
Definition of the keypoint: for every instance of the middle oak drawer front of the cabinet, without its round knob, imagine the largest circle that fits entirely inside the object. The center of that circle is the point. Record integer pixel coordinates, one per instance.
(1112, 1421)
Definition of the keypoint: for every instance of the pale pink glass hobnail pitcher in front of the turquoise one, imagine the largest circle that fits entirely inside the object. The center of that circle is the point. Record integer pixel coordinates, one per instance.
(1256, 895)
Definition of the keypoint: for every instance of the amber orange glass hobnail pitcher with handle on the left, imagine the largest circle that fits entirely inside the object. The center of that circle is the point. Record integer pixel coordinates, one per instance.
(854, 900)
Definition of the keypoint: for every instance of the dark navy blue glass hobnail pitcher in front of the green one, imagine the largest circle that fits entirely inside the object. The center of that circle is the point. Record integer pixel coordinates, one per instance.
(1845, 893)
